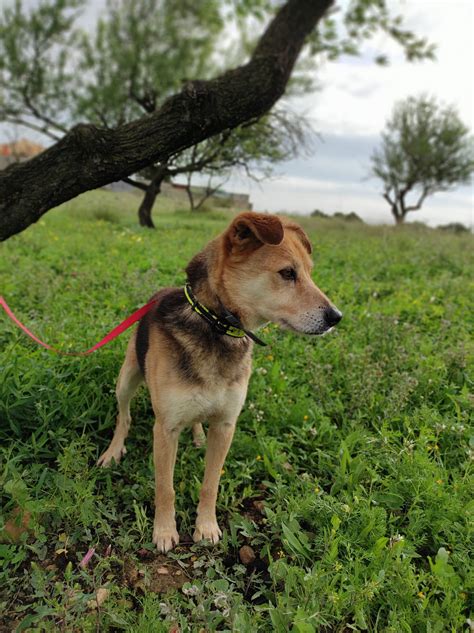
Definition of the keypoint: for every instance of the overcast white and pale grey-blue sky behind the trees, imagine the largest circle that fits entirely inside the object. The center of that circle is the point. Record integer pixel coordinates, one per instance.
(348, 112)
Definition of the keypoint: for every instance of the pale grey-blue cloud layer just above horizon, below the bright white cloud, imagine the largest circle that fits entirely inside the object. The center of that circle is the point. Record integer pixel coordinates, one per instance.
(336, 178)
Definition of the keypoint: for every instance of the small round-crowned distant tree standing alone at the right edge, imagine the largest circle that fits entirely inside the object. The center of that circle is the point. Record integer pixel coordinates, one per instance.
(425, 148)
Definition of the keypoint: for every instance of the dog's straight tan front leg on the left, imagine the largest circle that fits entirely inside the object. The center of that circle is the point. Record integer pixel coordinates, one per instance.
(165, 446)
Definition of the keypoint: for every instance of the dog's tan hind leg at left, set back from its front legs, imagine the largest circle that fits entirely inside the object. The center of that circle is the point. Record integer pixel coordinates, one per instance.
(128, 382)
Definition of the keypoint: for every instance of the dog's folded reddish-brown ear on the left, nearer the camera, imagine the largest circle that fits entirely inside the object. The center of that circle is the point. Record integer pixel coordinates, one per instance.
(250, 230)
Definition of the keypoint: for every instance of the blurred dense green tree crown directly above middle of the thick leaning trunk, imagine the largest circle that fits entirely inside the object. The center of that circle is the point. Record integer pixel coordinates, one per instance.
(141, 53)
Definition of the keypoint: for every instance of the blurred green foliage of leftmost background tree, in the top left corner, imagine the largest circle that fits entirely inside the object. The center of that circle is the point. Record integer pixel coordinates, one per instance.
(36, 74)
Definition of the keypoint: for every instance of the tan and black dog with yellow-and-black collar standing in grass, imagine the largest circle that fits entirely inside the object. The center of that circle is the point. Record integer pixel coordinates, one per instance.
(193, 350)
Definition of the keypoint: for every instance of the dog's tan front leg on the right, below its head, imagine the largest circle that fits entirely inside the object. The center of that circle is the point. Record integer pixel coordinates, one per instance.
(219, 439)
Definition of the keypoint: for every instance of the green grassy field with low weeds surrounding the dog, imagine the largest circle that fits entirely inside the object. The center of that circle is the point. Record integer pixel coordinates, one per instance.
(350, 475)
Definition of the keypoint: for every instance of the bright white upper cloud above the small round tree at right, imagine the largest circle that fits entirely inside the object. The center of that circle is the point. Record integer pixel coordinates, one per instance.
(357, 98)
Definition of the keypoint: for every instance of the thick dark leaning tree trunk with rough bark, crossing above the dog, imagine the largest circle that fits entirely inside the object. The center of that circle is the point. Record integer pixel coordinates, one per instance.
(88, 157)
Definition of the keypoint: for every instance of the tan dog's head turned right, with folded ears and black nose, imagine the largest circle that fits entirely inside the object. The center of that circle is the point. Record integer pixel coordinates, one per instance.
(265, 275)
